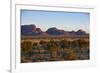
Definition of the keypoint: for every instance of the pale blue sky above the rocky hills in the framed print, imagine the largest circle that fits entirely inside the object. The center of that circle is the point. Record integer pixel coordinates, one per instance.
(67, 21)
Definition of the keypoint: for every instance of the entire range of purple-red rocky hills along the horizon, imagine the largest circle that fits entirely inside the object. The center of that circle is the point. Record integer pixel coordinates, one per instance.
(32, 30)
